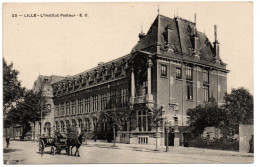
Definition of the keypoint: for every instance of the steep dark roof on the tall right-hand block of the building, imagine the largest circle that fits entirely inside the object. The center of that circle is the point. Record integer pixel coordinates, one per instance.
(179, 38)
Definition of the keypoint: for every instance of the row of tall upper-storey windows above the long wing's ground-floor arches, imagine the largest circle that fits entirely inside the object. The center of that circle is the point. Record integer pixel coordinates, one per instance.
(114, 99)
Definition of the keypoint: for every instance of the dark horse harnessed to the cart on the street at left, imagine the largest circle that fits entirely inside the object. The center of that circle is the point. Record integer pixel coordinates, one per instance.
(74, 142)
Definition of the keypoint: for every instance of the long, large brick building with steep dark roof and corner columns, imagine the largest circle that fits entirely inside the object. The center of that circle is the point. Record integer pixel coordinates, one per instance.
(172, 68)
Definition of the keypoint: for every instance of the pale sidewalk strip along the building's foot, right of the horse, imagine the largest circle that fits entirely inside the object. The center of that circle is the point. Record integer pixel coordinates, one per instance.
(172, 150)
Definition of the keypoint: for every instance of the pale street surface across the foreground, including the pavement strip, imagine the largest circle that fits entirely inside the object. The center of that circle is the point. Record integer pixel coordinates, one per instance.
(25, 152)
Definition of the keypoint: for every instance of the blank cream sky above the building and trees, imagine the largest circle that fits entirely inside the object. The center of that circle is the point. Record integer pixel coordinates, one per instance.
(67, 46)
